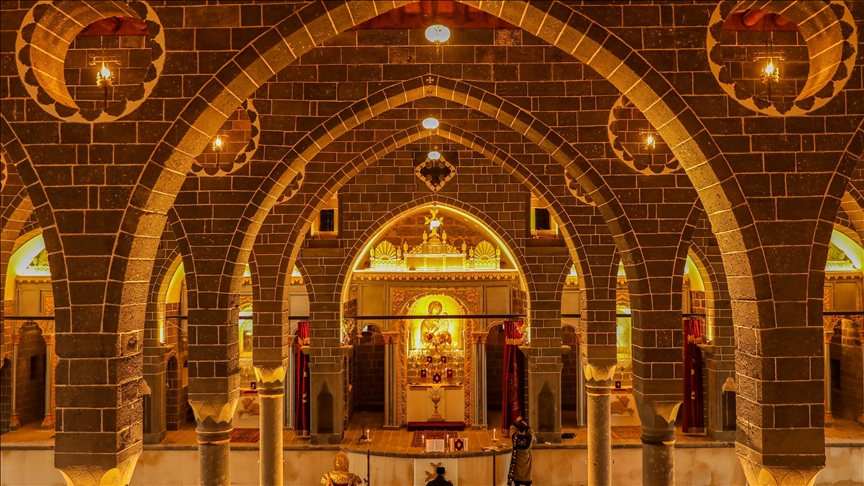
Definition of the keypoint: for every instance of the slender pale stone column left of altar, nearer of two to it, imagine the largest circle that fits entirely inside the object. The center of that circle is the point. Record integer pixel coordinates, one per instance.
(271, 391)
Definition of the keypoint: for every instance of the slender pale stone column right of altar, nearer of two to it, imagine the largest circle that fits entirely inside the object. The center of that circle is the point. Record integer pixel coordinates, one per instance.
(598, 383)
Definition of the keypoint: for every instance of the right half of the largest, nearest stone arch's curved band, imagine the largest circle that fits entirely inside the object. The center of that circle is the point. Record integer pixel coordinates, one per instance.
(709, 171)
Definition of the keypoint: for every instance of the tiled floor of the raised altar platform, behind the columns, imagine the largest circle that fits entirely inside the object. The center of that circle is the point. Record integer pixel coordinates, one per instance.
(398, 442)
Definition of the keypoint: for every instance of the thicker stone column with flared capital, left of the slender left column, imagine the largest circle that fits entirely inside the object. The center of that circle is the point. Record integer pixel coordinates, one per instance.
(214, 439)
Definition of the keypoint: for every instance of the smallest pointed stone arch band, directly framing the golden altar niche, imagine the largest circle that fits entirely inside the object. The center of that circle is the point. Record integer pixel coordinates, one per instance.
(413, 134)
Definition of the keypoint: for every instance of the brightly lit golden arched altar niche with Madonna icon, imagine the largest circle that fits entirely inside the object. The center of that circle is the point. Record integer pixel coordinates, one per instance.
(420, 279)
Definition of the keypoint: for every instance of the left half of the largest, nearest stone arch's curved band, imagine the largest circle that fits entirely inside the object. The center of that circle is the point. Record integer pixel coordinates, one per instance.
(204, 114)
